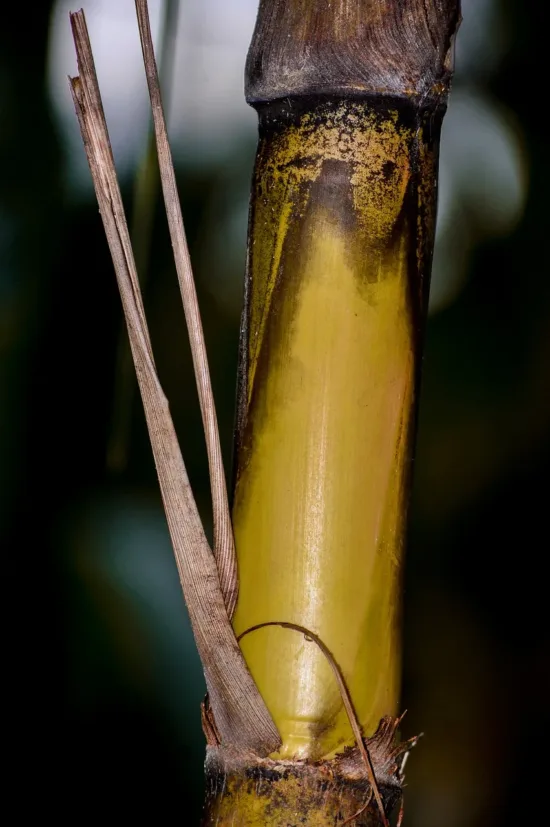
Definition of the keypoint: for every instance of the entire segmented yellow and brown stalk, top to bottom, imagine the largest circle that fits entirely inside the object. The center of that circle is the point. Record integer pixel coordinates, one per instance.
(350, 98)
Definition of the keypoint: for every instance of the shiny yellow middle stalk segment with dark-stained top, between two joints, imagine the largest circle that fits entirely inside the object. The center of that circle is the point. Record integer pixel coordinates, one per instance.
(341, 232)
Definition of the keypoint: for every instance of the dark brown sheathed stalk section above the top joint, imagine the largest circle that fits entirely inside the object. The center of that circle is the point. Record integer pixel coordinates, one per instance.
(352, 47)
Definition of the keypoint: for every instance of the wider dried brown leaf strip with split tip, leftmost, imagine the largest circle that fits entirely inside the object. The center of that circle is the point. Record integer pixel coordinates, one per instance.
(240, 713)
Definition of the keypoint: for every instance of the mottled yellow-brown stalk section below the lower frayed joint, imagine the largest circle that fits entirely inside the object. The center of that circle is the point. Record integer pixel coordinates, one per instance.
(246, 791)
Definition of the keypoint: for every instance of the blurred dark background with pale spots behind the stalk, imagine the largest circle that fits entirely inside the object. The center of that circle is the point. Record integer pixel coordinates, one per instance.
(103, 681)
